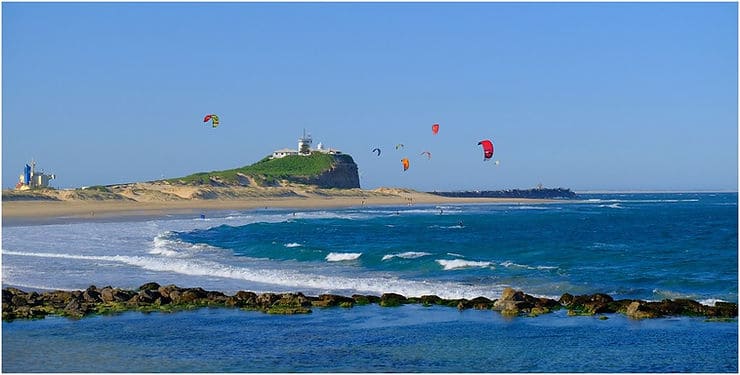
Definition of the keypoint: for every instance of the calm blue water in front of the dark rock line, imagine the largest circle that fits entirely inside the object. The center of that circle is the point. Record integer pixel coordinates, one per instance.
(368, 339)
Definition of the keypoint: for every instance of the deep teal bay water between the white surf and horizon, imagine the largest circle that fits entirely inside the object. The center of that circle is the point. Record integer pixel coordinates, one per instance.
(631, 246)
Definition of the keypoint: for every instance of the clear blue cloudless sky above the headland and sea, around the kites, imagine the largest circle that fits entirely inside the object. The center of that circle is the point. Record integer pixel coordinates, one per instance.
(587, 96)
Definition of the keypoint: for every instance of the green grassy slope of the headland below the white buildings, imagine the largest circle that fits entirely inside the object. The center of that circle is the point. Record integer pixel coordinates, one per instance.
(268, 171)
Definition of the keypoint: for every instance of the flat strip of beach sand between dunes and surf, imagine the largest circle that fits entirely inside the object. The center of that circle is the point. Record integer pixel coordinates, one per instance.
(37, 212)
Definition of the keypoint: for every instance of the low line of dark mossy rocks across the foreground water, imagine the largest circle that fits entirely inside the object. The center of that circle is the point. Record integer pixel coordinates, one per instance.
(18, 304)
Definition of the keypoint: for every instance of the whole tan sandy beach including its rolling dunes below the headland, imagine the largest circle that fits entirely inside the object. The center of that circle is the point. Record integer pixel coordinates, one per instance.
(149, 200)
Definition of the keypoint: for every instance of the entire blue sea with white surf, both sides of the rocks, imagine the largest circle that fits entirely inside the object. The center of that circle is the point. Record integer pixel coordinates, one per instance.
(641, 246)
